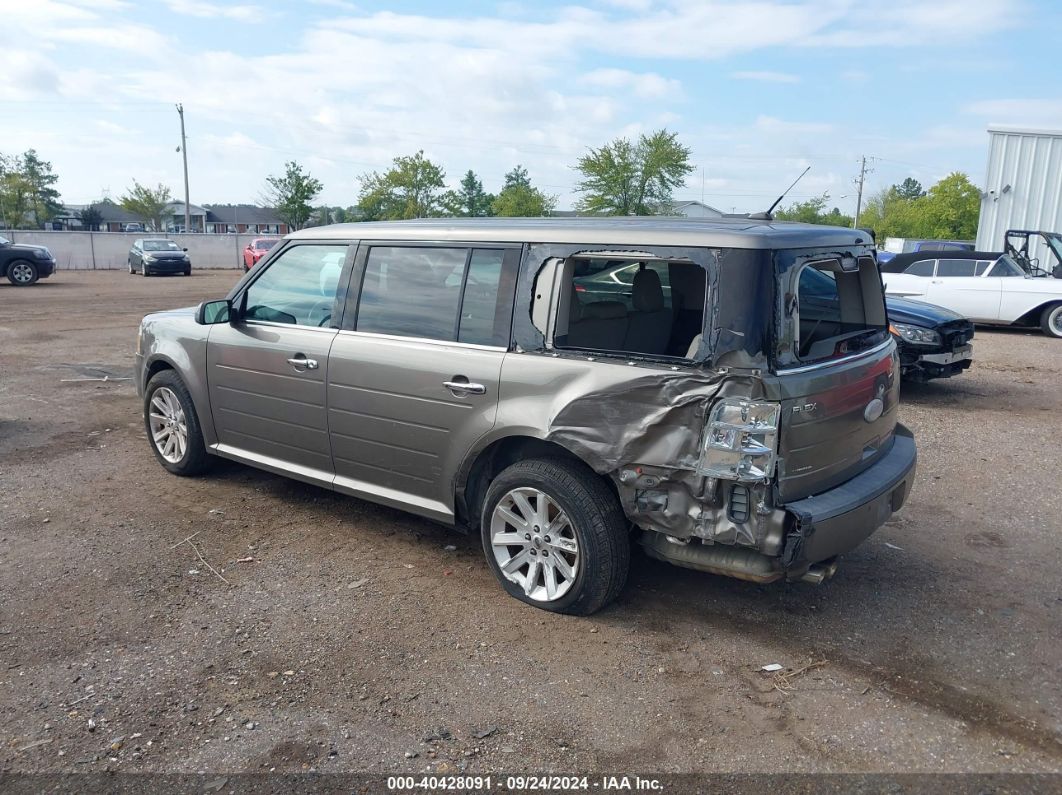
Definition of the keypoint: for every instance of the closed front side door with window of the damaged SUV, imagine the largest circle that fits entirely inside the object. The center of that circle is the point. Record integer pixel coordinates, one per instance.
(267, 371)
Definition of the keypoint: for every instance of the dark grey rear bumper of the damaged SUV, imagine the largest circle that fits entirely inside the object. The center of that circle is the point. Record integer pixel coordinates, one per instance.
(841, 520)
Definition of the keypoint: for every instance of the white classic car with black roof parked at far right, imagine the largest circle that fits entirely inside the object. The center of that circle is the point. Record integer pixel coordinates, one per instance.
(988, 288)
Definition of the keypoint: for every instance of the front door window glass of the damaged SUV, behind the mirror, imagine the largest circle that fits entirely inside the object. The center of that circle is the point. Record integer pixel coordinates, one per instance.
(299, 288)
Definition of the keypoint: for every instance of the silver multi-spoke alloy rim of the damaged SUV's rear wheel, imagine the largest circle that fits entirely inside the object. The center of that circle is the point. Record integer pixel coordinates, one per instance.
(535, 544)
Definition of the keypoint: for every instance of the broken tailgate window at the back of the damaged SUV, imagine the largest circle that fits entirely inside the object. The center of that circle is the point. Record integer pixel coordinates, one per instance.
(838, 312)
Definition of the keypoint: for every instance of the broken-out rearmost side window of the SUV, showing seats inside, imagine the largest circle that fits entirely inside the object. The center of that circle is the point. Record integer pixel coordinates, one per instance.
(646, 307)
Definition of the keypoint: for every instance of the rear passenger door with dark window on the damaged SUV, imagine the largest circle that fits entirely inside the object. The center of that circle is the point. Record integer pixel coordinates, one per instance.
(415, 374)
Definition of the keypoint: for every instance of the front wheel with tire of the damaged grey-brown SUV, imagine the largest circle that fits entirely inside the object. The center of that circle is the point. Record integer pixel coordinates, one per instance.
(174, 428)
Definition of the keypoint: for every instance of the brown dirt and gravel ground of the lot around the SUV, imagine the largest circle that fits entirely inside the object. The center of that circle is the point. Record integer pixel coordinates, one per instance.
(351, 637)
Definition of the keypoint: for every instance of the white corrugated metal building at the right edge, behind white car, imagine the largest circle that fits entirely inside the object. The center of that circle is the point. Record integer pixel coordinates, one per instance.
(1023, 186)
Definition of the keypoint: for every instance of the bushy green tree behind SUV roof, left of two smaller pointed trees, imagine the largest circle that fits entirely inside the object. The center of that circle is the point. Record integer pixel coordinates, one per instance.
(414, 187)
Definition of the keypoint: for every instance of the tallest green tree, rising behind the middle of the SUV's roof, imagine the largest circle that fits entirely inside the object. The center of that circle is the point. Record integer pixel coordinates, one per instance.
(633, 179)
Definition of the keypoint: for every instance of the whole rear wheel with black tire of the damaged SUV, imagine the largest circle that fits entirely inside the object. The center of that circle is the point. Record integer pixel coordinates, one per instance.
(556, 537)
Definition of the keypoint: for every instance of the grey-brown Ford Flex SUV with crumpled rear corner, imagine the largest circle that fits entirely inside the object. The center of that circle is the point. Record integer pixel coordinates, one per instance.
(561, 388)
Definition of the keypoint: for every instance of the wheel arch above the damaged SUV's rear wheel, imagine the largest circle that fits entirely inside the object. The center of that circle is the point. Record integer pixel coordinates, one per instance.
(486, 464)
